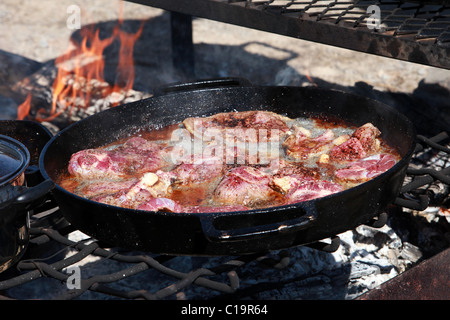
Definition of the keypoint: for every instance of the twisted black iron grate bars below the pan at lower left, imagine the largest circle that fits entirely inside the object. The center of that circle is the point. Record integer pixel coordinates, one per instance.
(35, 269)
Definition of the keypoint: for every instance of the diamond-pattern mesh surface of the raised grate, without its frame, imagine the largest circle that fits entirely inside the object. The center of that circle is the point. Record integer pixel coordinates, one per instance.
(421, 21)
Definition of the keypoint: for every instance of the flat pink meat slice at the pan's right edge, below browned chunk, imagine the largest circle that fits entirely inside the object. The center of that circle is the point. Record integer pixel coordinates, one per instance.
(366, 169)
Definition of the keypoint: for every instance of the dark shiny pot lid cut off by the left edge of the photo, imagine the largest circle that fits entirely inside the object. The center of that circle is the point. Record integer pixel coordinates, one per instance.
(14, 159)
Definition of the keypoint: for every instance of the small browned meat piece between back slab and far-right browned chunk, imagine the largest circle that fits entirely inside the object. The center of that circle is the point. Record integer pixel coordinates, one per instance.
(301, 146)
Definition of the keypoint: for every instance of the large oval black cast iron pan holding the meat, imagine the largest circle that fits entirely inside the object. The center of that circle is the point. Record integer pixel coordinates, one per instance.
(232, 232)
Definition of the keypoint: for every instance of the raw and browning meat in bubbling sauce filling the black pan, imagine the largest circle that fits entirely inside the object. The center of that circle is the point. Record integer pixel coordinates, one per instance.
(306, 159)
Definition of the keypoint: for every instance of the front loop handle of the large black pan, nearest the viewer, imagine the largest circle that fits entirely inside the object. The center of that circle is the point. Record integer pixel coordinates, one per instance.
(258, 231)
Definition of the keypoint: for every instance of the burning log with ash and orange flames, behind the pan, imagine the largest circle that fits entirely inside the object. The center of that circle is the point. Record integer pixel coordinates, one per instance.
(73, 87)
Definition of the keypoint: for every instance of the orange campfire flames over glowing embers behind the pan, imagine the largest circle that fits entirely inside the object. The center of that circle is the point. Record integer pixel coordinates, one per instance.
(80, 80)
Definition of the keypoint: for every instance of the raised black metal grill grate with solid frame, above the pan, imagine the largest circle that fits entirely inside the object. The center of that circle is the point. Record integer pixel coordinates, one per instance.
(414, 31)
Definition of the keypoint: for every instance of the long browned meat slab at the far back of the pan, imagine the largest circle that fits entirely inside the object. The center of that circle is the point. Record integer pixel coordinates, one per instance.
(243, 126)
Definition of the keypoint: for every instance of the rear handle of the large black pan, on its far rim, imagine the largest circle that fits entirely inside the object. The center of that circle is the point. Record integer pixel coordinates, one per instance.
(203, 84)
